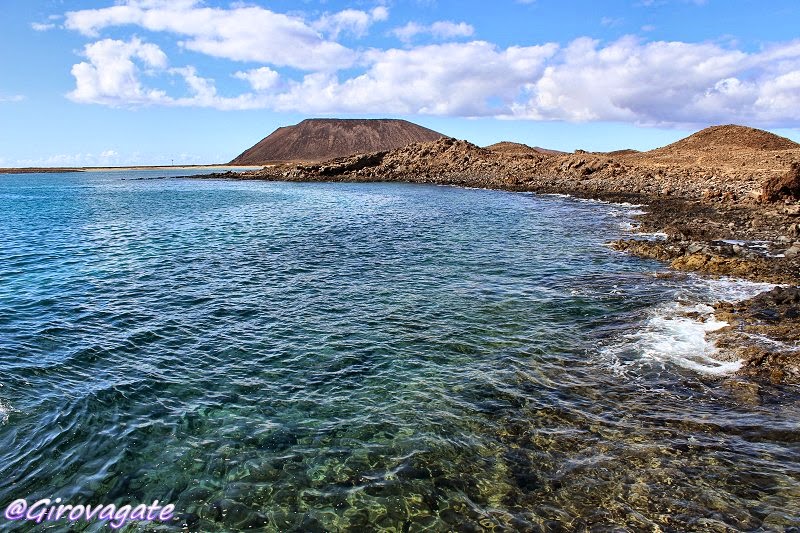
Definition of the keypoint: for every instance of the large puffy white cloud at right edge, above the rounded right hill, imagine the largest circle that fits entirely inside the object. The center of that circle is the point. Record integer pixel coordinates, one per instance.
(666, 83)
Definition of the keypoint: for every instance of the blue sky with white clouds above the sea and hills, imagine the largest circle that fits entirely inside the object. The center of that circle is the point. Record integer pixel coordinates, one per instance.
(190, 81)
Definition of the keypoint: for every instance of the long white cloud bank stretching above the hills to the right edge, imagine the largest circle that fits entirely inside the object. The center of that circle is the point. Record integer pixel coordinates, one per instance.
(656, 83)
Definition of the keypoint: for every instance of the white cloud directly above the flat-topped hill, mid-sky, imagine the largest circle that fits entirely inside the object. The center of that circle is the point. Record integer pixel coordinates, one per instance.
(466, 79)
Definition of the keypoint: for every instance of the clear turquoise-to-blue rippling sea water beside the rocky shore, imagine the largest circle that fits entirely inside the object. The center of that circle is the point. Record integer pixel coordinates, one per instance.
(368, 357)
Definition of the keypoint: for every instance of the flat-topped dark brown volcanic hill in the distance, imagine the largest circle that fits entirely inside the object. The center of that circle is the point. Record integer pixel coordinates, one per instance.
(322, 139)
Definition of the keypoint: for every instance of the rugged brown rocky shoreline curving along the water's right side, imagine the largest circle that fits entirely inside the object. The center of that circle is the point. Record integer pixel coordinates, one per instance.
(715, 213)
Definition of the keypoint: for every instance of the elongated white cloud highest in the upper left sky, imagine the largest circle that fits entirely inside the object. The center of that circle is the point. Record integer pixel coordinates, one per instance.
(241, 34)
